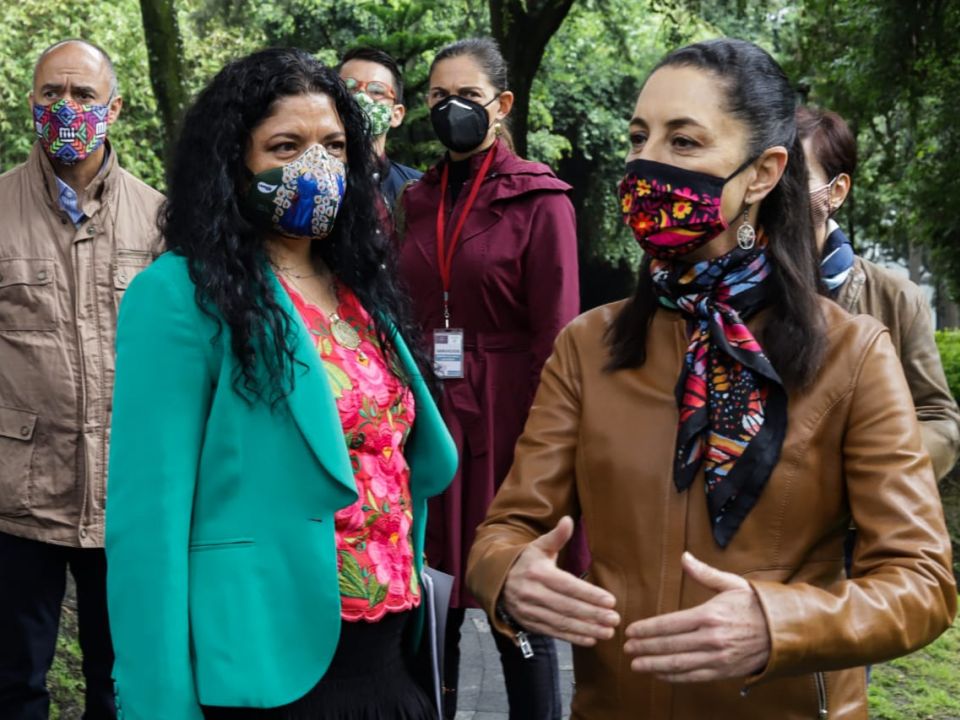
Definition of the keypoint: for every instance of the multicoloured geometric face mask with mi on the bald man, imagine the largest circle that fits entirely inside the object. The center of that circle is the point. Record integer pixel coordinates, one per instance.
(69, 132)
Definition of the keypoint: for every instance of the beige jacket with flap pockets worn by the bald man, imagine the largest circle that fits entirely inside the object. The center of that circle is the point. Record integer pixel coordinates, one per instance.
(59, 290)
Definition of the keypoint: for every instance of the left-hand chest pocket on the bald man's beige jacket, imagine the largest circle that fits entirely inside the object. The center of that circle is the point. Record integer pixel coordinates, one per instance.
(28, 294)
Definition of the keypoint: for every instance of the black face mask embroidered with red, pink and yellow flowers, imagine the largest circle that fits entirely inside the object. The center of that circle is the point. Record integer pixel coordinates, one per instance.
(672, 211)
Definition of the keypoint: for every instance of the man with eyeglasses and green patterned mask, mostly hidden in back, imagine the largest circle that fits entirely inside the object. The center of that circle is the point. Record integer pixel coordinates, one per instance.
(375, 80)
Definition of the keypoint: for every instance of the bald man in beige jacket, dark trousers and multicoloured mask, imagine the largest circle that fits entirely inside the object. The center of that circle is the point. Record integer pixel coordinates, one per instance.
(75, 230)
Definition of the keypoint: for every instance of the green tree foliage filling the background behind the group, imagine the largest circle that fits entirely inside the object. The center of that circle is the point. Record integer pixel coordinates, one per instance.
(891, 67)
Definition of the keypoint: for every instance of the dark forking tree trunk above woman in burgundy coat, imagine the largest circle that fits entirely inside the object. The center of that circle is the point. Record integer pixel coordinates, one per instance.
(523, 28)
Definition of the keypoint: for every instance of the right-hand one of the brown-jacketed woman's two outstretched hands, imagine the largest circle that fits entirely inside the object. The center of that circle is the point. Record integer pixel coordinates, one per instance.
(725, 637)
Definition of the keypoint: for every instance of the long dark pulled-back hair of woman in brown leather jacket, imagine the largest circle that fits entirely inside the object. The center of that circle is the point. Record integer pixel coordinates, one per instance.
(758, 94)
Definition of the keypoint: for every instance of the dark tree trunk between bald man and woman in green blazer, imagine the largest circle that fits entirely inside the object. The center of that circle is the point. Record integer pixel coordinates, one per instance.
(165, 54)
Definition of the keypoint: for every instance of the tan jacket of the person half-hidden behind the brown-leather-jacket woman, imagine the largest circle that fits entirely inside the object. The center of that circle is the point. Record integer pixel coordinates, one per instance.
(899, 304)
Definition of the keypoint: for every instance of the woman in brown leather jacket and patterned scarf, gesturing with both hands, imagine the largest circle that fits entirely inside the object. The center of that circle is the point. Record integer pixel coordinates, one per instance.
(718, 432)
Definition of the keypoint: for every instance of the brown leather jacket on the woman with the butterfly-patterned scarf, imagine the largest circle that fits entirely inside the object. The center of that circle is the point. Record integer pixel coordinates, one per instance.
(601, 444)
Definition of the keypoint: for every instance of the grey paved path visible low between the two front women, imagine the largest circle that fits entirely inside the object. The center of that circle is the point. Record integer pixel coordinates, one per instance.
(482, 696)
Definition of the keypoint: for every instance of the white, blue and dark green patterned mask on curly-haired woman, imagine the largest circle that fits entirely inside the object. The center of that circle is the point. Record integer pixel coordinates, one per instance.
(301, 198)
